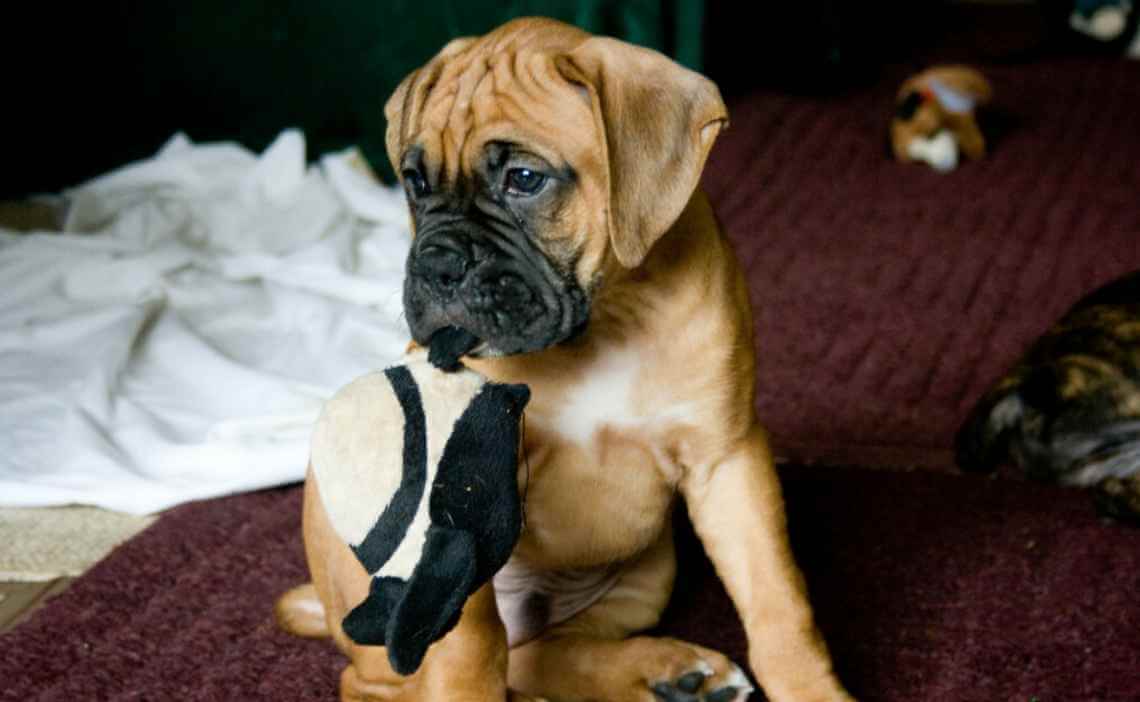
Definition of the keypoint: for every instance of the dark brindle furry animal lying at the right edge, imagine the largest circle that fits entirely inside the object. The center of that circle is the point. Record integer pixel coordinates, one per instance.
(1070, 410)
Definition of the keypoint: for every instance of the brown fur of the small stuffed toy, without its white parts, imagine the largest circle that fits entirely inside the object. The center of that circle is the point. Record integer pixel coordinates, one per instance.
(932, 118)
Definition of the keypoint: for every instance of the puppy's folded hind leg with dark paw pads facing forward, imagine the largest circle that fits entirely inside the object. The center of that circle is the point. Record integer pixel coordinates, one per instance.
(591, 658)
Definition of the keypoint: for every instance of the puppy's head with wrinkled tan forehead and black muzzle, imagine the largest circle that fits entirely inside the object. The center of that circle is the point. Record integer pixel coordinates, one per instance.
(535, 160)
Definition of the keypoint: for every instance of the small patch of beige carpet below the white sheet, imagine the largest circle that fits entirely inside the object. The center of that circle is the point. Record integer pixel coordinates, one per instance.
(42, 545)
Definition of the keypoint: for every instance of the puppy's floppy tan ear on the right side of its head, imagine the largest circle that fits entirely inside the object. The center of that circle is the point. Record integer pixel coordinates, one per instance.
(659, 121)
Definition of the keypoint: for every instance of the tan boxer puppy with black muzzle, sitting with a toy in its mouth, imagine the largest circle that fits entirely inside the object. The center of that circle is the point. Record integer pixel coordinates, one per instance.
(552, 179)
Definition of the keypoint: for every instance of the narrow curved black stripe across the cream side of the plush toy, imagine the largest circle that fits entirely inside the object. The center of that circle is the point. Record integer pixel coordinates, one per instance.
(387, 534)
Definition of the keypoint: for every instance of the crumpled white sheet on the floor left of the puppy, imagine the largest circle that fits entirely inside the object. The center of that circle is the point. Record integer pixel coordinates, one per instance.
(178, 340)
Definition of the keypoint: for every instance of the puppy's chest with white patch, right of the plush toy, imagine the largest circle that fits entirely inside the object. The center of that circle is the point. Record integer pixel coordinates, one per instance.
(599, 474)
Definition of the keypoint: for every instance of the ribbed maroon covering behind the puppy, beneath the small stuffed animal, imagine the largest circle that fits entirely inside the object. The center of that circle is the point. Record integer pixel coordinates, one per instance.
(887, 298)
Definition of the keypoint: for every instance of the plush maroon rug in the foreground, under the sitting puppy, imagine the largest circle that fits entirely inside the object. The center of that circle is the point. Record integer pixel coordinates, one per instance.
(930, 587)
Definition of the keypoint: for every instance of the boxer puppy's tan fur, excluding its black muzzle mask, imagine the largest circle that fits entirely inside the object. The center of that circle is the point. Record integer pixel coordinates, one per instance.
(671, 323)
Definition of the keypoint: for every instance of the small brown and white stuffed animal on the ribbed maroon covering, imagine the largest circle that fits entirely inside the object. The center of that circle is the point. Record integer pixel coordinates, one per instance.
(935, 118)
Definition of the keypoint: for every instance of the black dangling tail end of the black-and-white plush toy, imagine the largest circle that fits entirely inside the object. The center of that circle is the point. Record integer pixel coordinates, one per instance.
(409, 617)
